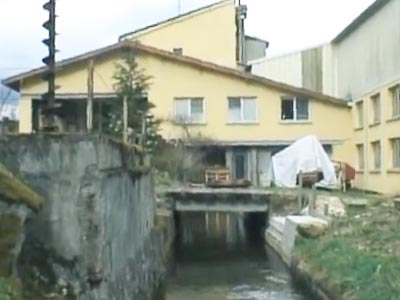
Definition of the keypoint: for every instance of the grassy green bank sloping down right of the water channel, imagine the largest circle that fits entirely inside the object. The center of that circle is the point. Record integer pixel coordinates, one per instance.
(360, 258)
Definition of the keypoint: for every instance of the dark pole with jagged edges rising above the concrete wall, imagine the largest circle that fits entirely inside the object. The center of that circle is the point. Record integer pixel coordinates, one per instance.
(50, 61)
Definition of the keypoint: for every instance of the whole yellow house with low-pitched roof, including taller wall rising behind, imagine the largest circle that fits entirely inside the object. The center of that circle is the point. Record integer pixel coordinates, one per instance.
(245, 118)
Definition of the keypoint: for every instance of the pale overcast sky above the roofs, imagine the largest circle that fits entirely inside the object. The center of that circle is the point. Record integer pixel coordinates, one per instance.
(88, 24)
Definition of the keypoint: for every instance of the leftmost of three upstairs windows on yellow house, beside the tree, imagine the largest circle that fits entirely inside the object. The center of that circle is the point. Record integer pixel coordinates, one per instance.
(189, 110)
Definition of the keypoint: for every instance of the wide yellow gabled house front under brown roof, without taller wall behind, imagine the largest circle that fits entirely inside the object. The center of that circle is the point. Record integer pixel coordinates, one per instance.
(246, 117)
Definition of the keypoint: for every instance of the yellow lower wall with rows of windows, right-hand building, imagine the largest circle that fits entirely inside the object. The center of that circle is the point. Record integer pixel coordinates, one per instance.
(377, 139)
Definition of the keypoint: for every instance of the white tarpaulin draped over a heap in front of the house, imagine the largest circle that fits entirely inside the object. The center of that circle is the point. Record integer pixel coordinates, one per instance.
(305, 155)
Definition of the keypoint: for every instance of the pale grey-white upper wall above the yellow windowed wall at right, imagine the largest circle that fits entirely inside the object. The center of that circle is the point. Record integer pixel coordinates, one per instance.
(370, 56)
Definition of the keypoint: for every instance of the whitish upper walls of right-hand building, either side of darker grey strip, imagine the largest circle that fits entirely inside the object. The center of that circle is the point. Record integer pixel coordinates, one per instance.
(363, 61)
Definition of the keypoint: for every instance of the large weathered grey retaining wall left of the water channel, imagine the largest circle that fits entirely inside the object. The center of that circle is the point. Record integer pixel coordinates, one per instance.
(95, 236)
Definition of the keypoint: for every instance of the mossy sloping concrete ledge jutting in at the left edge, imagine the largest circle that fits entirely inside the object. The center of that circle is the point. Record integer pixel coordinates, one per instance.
(13, 189)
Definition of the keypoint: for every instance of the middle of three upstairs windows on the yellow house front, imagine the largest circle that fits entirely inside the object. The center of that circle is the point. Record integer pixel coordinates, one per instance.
(242, 110)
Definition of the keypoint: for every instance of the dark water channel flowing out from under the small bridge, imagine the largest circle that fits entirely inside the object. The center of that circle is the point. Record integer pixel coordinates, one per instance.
(222, 256)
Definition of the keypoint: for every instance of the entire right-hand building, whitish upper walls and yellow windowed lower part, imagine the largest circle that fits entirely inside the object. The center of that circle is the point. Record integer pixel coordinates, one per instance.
(361, 65)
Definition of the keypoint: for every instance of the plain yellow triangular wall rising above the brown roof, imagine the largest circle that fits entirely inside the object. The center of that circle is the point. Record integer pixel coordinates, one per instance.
(208, 33)
